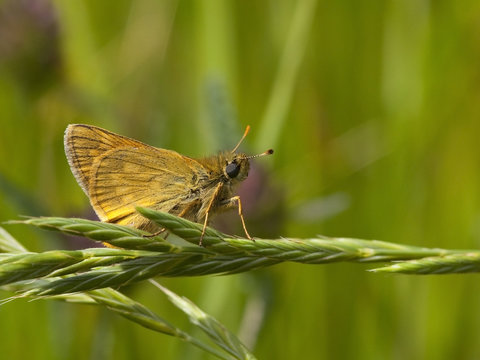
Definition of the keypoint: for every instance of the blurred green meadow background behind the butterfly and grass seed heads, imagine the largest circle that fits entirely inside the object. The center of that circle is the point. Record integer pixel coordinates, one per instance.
(372, 109)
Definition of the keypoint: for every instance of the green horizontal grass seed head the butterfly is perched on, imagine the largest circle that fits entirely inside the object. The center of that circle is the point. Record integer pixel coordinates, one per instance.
(91, 269)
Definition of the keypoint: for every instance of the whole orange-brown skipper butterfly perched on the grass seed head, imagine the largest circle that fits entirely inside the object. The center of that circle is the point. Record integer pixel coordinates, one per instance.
(118, 174)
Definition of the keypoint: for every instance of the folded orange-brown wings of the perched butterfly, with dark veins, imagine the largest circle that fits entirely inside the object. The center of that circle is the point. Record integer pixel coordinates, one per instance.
(118, 174)
